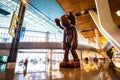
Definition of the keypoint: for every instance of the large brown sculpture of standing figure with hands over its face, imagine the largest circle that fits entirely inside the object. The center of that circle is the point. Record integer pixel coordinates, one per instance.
(67, 23)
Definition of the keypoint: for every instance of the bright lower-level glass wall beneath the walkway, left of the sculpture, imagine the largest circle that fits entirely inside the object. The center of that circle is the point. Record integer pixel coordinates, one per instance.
(40, 55)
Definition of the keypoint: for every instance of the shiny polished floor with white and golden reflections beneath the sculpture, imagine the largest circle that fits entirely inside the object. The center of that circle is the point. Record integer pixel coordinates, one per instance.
(47, 71)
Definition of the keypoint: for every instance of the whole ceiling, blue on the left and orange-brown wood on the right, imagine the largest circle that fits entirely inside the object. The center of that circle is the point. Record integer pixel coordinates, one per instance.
(52, 9)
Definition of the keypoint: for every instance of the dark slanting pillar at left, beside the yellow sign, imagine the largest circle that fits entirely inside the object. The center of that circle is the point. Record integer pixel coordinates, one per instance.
(14, 46)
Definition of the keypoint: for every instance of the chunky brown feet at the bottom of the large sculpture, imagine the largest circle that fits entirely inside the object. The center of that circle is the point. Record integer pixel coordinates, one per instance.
(72, 64)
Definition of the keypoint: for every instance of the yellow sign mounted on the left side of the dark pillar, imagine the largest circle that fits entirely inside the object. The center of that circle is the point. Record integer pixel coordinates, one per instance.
(13, 24)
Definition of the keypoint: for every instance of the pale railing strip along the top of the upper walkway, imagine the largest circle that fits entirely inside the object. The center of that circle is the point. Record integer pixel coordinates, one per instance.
(5, 37)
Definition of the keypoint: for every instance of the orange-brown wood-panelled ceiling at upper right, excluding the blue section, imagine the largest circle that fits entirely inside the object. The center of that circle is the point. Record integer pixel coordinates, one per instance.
(84, 22)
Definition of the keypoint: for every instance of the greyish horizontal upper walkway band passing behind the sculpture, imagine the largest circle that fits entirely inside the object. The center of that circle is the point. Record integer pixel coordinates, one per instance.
(43, 45)
